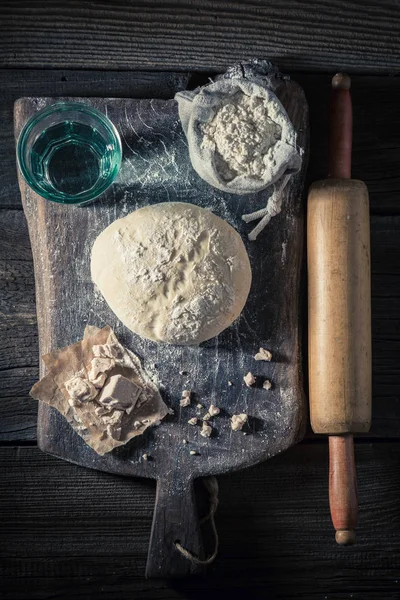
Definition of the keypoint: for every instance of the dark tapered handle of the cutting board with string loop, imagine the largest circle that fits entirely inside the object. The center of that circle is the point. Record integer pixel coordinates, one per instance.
(175, 520)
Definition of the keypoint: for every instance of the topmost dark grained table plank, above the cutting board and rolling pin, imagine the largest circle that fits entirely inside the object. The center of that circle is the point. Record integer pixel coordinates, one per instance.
(202, 35)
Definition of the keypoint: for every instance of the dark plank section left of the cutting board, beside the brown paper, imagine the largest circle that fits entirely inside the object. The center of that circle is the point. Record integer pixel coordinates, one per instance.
(19, 368)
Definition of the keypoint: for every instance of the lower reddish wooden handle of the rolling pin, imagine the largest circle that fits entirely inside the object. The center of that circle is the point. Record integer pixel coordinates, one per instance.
(343, 488)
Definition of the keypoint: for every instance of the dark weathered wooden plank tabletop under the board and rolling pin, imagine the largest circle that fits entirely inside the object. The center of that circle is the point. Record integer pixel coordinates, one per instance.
(68, 532)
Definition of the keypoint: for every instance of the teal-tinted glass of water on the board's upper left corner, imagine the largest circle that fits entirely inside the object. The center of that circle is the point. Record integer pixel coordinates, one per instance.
(69, 153)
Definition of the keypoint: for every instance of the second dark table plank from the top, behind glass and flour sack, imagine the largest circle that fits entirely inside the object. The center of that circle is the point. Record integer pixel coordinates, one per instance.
(376, 148)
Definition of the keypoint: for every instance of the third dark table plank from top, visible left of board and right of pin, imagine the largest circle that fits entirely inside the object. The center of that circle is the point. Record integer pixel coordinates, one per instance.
(19, 367)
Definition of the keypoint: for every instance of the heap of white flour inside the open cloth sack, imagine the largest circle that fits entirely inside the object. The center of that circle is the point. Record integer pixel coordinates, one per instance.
(243, 133)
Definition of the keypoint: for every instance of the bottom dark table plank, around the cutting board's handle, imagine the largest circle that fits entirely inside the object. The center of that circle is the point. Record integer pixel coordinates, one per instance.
(78, 533)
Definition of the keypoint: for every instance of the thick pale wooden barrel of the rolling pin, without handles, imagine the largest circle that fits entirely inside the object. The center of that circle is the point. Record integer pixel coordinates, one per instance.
(339, 306)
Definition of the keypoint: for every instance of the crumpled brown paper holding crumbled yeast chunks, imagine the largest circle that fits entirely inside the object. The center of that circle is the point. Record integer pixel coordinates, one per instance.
(94, 426)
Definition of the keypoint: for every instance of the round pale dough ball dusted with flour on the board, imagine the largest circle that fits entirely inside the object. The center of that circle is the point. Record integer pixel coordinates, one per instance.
(172, 272)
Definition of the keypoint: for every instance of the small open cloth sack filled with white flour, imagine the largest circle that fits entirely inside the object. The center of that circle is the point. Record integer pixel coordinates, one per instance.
(248, 145)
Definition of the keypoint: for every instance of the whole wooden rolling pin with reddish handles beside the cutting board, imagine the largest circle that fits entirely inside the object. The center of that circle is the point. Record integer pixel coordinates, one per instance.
(339, 312)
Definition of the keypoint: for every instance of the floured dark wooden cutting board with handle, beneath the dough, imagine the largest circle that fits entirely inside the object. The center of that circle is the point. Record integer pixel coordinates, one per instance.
(156, 168)
